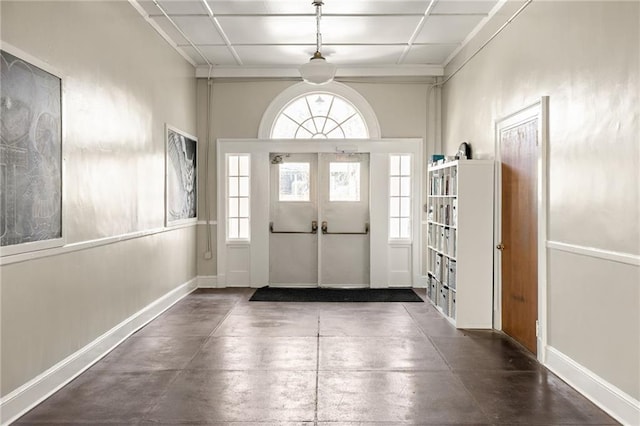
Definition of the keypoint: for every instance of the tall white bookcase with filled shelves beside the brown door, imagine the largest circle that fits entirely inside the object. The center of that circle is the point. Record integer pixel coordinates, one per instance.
(460, 241)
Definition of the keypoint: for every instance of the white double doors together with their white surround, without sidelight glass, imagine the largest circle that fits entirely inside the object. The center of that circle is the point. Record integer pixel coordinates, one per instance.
(319, 215)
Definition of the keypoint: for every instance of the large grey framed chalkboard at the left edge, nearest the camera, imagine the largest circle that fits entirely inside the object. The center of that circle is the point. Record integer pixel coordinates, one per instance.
(30, 153)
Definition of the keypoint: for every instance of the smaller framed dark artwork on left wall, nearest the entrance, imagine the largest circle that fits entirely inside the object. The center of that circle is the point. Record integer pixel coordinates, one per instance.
(181, 189)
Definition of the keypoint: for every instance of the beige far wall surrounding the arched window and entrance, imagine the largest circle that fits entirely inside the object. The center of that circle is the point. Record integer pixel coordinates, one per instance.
(238, 106)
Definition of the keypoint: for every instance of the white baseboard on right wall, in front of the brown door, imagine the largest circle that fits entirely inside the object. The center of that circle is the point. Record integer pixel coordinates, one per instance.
(615, 402)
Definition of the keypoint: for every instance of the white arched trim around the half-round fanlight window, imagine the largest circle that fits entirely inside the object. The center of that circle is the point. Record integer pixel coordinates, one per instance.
(295, 91)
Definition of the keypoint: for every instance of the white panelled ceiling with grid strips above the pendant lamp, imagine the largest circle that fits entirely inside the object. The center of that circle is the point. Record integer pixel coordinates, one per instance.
(273, 37)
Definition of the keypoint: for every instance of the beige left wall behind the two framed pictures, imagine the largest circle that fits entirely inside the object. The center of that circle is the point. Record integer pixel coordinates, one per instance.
(122, 83)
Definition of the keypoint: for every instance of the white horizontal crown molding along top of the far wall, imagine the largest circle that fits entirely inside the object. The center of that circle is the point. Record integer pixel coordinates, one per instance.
(405, 70)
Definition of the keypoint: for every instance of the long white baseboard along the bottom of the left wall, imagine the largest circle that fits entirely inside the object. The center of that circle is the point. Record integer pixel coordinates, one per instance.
(27, 396)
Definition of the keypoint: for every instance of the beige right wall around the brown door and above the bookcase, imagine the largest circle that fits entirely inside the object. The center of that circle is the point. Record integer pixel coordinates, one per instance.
(585, 57)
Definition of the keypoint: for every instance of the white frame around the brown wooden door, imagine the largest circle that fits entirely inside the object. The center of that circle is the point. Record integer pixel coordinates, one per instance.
(540, 110)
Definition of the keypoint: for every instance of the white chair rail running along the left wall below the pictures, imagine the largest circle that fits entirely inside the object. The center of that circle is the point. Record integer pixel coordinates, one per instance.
(85, 245)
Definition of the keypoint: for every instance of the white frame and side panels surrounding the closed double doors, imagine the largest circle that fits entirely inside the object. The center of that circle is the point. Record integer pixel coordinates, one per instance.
(253, 255)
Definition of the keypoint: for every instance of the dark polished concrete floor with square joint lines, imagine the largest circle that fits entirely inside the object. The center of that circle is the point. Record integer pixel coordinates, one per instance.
(216, 358)
